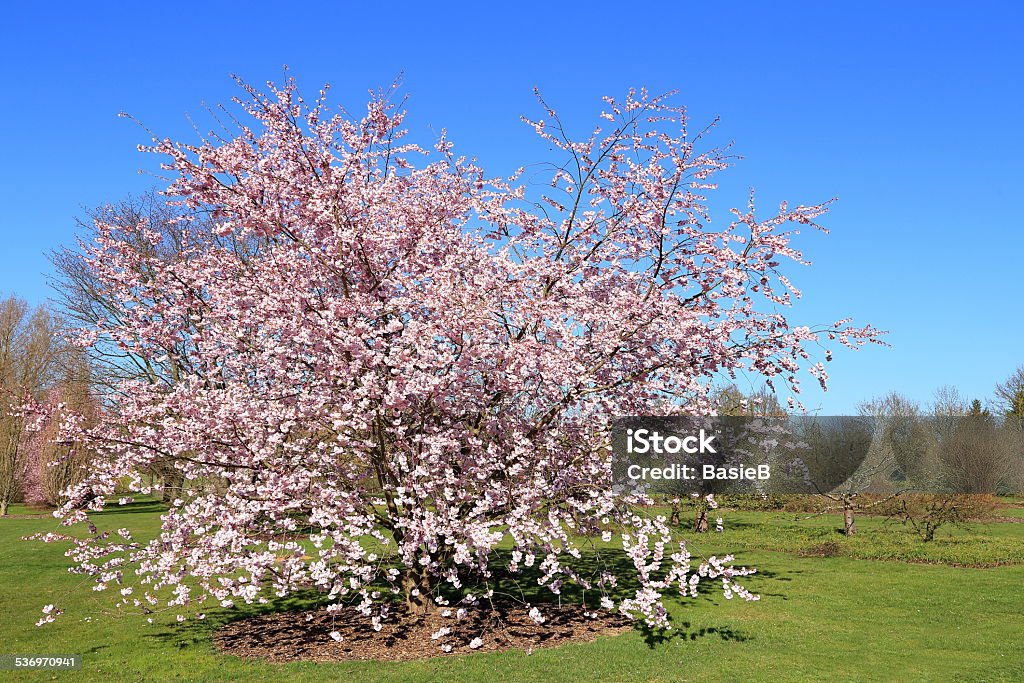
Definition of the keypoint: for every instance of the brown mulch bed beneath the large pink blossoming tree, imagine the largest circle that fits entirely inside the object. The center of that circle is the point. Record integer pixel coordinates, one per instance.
(307, 636)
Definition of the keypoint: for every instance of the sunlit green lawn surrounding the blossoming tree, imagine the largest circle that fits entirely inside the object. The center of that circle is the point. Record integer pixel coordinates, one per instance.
(864, 615)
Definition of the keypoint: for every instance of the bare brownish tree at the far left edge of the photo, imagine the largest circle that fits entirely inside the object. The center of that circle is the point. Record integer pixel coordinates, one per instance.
(30, 350)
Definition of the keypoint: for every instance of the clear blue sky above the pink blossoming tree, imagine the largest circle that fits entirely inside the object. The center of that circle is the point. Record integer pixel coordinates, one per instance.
(909, 112)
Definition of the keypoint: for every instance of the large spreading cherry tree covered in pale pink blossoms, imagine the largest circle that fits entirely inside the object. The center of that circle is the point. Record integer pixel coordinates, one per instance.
(387, 364)
